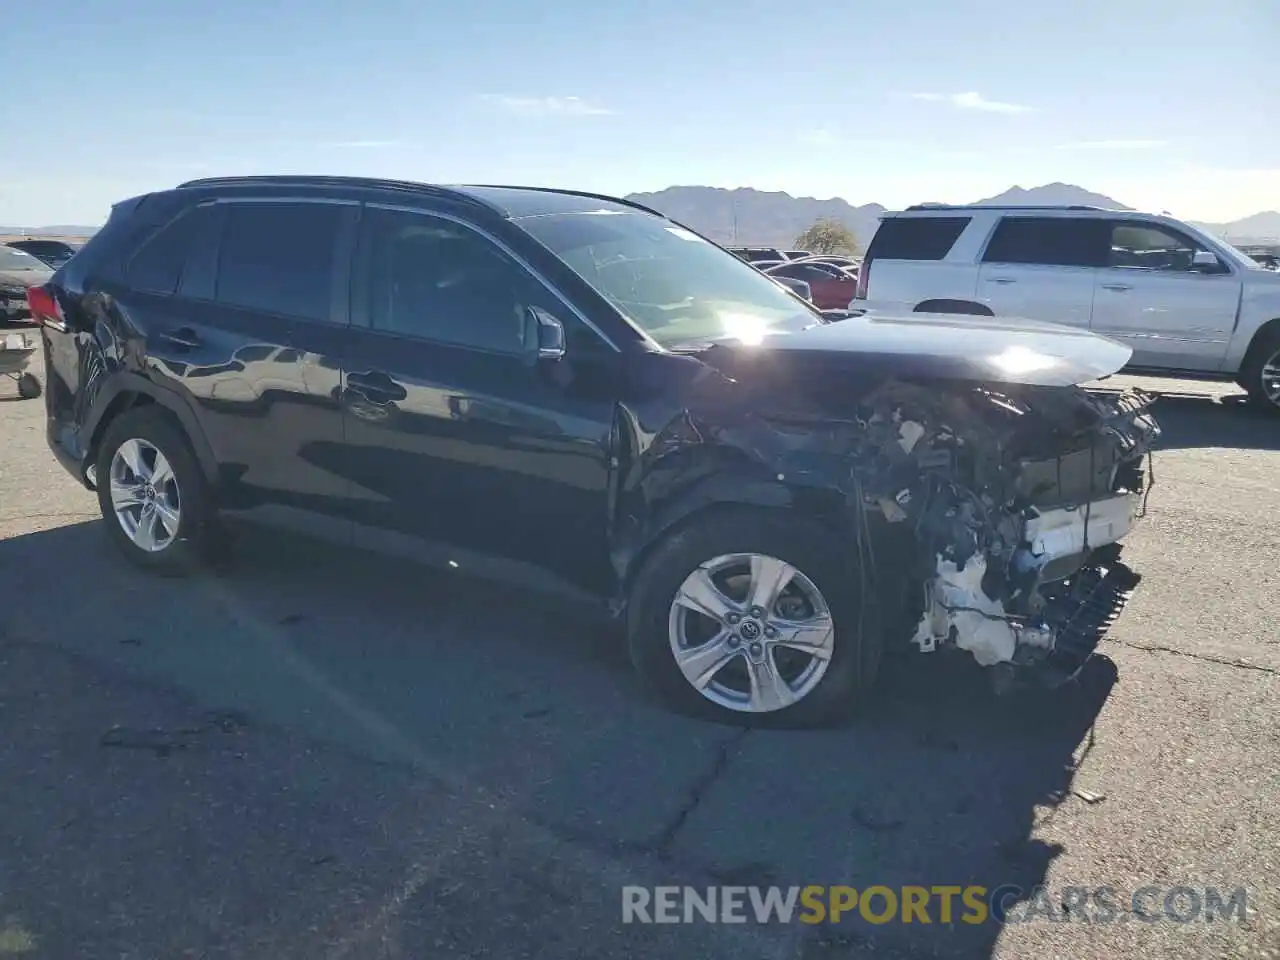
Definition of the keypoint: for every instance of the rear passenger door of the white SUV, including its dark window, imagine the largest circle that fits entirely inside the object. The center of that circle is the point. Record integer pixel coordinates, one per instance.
(1043, 268)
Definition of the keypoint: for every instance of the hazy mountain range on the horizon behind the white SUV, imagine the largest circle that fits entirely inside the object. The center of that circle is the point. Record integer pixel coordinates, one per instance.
(772, 220)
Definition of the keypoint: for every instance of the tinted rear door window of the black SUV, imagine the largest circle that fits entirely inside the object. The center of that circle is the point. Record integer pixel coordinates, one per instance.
(280, 258)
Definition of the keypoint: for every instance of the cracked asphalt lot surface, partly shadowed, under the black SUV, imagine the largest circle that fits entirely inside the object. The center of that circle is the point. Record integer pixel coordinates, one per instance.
(324, 755)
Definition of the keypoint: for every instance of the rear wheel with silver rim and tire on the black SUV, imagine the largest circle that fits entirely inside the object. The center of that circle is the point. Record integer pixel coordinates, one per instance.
(152, 492)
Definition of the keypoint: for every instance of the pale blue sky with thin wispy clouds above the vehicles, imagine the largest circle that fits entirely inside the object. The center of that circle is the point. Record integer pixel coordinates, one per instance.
(1164, 106)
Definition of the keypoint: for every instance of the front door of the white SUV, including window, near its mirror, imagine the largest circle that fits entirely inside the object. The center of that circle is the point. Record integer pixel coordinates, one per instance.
(1154, 299)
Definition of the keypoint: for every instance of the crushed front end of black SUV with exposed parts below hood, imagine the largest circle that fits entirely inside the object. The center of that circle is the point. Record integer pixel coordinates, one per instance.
(1017, 499)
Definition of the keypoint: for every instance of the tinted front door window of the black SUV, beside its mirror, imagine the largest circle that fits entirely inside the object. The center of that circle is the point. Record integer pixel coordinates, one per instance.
(441, 281)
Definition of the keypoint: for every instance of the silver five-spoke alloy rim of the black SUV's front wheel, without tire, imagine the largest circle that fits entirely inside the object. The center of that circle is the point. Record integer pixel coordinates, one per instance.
(751, 633)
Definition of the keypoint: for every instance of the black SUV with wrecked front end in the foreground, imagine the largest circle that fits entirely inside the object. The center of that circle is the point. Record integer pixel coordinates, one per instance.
(577, 392)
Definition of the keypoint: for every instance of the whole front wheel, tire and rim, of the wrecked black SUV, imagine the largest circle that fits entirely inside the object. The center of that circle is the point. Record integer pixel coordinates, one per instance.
(755, 618)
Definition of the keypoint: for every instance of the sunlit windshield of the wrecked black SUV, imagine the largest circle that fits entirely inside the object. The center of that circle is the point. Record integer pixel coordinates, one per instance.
(675, 286)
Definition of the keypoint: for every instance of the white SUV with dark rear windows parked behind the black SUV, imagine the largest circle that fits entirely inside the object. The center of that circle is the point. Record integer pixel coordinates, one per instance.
(1185, 301)
